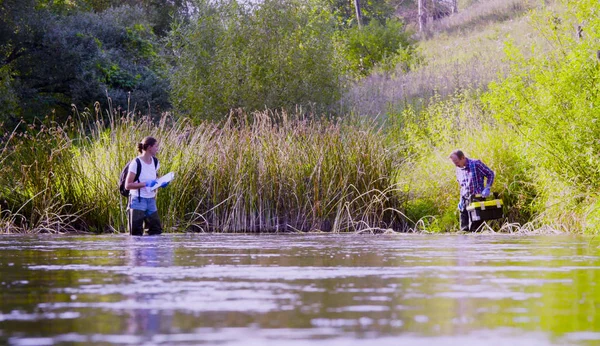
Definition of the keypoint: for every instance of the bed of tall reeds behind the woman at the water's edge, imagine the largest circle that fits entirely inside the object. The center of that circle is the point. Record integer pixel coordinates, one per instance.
(260, 172)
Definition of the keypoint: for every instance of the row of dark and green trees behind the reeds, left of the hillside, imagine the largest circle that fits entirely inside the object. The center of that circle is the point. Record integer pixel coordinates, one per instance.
(220, 55)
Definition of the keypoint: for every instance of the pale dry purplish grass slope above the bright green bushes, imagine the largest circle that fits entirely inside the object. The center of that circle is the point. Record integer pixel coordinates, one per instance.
(462, 51)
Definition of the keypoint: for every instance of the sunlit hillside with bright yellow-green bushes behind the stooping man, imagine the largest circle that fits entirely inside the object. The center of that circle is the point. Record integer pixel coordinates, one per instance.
(521, 94)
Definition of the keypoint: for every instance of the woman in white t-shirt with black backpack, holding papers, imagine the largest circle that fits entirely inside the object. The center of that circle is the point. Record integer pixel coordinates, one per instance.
(142, 199)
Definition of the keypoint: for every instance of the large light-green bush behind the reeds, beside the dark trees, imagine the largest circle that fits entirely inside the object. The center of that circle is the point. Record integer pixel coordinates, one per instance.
(277, 54)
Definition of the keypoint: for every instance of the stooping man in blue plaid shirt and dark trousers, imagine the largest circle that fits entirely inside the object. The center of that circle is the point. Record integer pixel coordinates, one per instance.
(470, 175)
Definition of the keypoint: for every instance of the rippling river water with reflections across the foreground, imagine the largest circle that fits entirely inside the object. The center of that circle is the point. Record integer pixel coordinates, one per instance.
(299, 289)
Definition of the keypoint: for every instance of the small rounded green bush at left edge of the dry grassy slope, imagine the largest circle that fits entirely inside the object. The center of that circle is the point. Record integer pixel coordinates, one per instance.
(387, 45)
